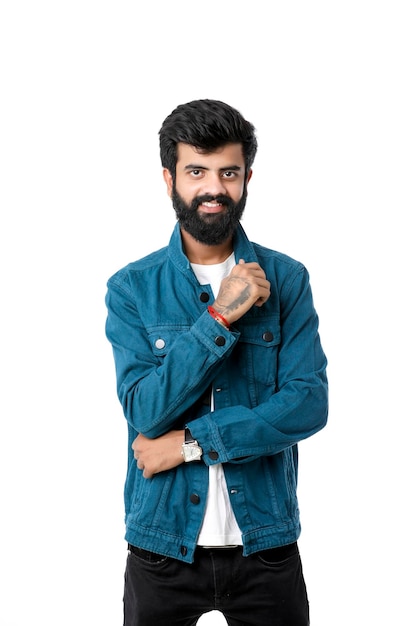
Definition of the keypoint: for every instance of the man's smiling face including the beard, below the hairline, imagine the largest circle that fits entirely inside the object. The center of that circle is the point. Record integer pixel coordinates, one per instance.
(209, 194)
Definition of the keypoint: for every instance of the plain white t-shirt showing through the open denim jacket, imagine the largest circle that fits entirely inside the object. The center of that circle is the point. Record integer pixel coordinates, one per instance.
(219, 527)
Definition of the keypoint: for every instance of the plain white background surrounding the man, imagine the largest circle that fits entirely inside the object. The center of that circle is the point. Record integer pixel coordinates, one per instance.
(85, 86)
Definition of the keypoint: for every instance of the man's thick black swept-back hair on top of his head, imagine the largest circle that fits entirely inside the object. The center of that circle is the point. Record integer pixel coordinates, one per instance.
(206, 125)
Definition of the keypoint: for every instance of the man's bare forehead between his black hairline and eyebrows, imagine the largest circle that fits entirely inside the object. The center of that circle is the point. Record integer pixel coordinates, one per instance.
(228, 155)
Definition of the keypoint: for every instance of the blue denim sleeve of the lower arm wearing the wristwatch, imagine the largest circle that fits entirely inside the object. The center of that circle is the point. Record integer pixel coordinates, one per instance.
(297, 410)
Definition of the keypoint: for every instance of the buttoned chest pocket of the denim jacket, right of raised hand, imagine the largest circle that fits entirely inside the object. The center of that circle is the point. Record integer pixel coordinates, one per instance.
(258, 350)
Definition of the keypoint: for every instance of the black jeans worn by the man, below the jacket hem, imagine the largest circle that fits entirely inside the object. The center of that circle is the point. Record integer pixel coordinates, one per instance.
(264, 589)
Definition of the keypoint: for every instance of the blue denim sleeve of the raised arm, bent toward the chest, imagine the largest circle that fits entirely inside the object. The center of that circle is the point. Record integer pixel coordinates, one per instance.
(156, 391)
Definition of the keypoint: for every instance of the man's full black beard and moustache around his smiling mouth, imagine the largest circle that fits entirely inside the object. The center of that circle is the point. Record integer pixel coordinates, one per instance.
(211, 229)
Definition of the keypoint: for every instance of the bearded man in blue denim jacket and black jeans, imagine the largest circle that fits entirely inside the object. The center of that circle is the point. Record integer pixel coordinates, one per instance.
(220, 373)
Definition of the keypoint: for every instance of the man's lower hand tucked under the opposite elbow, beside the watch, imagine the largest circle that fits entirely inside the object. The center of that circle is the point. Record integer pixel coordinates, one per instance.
(157, 455)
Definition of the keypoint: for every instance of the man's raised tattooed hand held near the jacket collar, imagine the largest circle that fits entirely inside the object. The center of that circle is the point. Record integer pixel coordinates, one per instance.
(245, 286)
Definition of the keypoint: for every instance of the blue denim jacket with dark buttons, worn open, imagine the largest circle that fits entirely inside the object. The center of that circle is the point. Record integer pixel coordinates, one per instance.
(268, 377)
